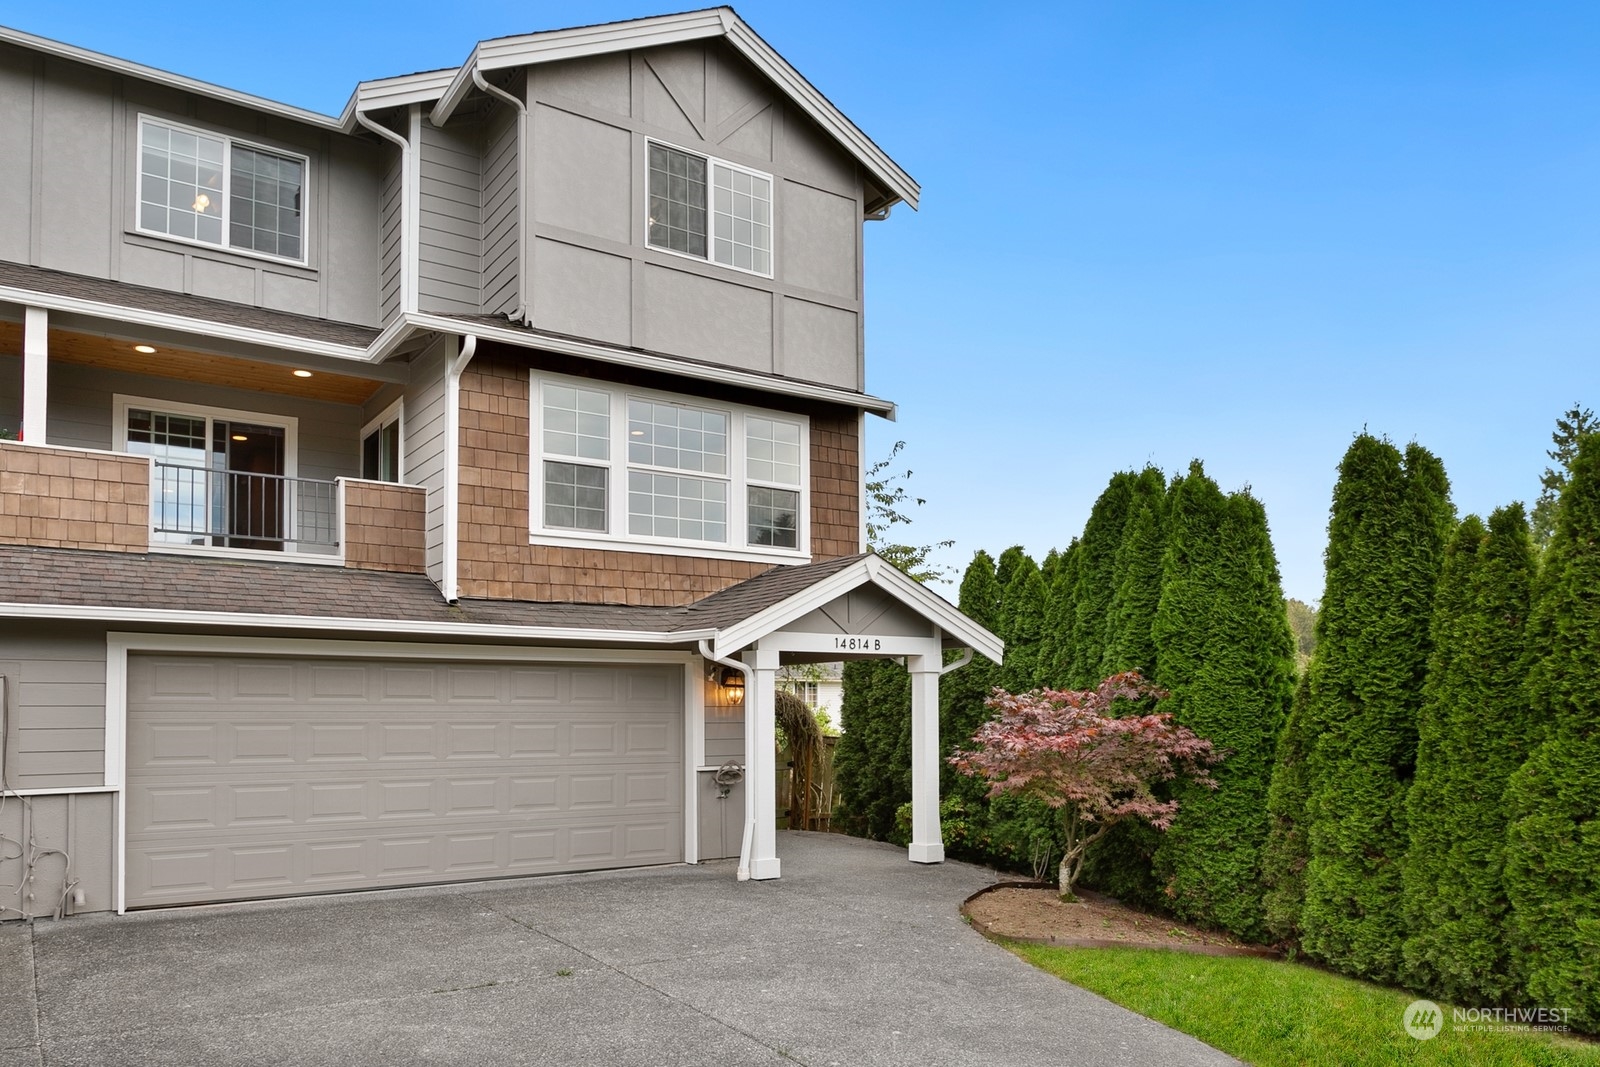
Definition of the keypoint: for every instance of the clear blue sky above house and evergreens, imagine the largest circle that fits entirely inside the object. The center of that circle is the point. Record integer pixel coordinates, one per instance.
(1150, 233)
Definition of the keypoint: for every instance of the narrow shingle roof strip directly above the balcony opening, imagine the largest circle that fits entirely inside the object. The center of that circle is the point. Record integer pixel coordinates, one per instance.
(166, 302)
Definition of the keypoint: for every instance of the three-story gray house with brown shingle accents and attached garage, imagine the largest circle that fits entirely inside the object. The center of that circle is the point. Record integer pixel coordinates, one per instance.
(398, 492)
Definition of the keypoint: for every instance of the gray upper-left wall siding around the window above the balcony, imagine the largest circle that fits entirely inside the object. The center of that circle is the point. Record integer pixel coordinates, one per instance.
(71, 154)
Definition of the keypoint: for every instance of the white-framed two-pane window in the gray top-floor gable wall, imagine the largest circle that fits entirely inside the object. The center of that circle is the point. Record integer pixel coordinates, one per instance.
(710, 209)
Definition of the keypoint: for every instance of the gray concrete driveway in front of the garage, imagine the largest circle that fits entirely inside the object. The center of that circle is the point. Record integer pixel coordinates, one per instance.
(854, 957)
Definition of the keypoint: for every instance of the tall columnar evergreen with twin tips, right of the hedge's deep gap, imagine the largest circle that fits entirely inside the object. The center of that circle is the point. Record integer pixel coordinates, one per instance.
(1386, 533)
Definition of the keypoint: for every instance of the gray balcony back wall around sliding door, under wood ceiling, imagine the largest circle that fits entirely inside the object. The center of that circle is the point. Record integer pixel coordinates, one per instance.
(82, 414)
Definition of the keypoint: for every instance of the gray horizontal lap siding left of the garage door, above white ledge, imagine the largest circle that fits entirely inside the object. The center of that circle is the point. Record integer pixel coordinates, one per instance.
(55, 706)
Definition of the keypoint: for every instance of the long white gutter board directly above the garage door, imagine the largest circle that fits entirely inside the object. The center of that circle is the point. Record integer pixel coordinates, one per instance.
(362, 626)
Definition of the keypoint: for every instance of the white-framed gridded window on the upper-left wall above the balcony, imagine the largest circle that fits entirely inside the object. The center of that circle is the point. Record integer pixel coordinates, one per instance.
(212, 190)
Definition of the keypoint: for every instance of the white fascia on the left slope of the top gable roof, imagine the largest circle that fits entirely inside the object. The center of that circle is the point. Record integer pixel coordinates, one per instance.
(572, 44)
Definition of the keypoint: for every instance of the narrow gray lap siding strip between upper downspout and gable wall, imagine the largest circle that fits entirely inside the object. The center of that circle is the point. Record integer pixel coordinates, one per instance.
(450, 231)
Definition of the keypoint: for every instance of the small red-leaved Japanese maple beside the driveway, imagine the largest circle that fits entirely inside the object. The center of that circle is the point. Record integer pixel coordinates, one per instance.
(1094, 767)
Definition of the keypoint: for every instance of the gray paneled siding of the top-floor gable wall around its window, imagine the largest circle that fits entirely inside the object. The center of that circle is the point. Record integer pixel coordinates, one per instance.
(593, 274)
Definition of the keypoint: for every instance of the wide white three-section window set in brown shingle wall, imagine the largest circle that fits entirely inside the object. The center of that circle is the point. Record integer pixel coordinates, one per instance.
(618, 465)
